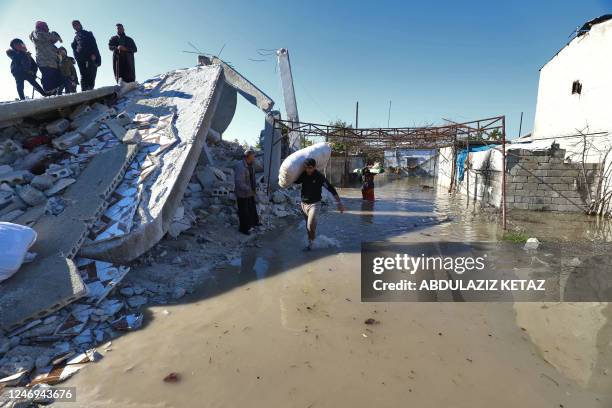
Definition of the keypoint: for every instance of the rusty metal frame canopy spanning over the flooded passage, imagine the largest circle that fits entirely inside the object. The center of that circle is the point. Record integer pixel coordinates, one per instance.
(452, 134)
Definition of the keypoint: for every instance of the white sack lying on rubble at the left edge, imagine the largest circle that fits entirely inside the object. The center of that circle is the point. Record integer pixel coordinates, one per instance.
(15, 240)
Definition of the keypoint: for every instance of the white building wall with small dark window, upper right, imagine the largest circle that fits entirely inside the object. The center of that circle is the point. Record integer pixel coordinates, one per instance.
(587, 59)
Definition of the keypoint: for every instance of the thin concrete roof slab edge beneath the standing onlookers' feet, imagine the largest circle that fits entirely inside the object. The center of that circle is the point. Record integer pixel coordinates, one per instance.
(12, 111)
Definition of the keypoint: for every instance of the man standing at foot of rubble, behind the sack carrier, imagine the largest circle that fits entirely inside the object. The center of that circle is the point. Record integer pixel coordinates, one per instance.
(244, 180)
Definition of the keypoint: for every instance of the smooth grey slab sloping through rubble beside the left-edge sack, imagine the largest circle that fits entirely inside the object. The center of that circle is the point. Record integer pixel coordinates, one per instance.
(52, 280)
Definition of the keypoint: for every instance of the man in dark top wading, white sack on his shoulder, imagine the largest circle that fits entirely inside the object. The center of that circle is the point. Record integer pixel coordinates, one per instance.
(312, 182)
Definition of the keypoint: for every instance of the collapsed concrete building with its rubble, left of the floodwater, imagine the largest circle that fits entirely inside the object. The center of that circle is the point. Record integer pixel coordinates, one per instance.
(102, 176)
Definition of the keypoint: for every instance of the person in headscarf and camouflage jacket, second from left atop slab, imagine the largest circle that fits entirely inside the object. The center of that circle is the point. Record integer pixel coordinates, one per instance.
(47, 56)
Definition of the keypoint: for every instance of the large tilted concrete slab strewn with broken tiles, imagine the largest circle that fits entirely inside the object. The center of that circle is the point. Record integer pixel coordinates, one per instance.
(181, 105)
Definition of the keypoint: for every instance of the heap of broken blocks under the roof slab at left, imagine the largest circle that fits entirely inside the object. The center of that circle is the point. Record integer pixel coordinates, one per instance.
(38, 162)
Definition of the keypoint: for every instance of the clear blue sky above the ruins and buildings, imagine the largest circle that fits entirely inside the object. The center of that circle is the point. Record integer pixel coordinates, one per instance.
(436, 59)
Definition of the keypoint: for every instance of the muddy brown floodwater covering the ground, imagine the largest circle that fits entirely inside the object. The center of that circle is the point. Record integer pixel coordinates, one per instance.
(281, 327)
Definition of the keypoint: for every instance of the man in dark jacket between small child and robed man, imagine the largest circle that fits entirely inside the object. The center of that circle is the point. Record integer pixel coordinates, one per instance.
(87, 55)
